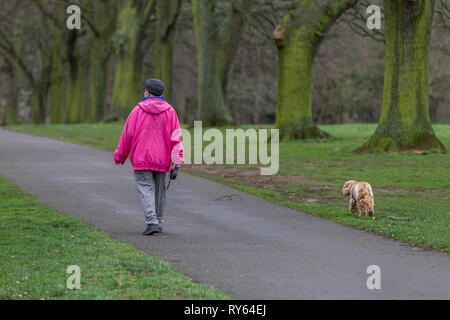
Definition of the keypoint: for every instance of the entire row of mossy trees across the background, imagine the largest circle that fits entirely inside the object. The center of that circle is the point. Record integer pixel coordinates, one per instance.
(72, 70)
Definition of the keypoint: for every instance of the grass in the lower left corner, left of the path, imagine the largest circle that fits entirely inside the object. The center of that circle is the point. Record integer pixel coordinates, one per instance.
(37, 244)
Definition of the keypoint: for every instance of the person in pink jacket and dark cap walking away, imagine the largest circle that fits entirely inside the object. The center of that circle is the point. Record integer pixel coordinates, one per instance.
(152, 137)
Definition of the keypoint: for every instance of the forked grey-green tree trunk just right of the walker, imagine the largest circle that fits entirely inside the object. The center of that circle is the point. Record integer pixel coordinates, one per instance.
(215, 51)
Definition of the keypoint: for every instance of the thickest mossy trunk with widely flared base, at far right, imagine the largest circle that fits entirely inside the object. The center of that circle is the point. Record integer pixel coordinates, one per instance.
(405, 122)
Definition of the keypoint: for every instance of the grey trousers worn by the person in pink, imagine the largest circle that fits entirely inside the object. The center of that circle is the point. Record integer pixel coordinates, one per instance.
(151, 186)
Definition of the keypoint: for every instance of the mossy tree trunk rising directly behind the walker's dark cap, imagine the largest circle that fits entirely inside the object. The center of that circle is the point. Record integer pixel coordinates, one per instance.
(167, 12)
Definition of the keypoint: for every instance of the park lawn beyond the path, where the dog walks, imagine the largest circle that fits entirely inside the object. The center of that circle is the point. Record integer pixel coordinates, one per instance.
(412, 191)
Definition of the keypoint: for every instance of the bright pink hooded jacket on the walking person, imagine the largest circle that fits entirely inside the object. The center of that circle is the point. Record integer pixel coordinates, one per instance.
(152, 136)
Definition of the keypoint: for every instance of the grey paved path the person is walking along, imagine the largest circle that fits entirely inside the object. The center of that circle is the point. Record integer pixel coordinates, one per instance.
(248, 247)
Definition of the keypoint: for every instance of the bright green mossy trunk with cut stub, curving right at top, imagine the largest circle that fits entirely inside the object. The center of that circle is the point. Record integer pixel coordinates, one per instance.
(297, 39)
